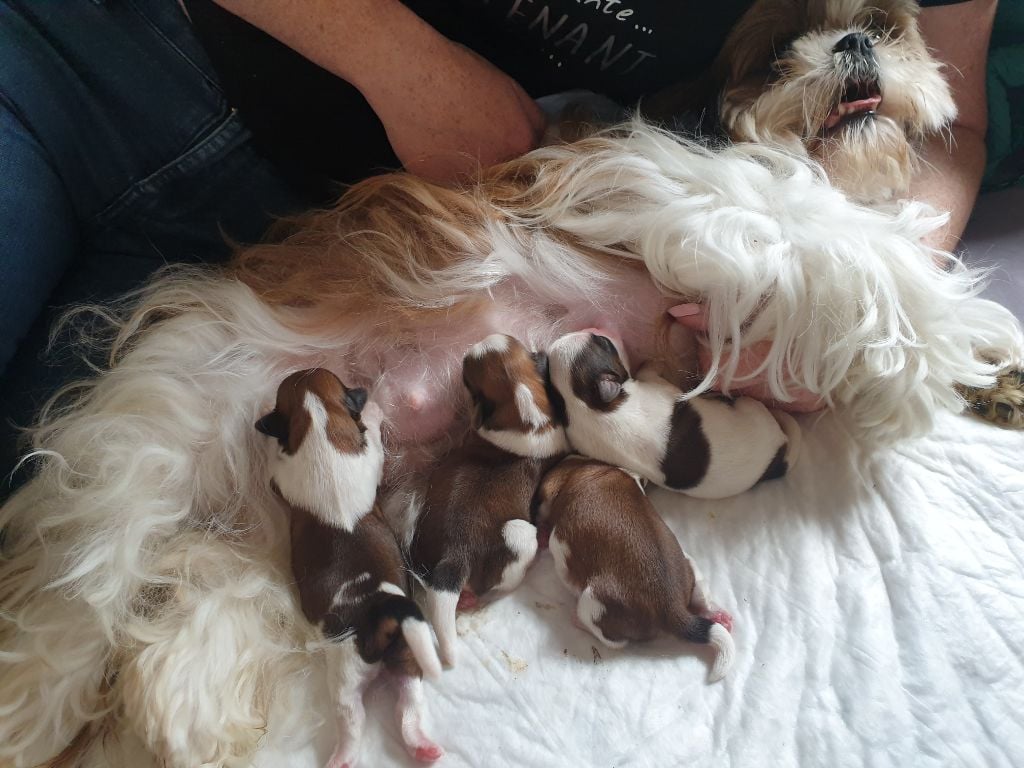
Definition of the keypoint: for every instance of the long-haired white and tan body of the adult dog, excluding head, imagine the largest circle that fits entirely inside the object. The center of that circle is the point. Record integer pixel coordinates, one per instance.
(144, 581)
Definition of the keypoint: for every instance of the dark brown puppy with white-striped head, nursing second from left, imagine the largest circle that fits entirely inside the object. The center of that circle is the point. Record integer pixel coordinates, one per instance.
(474, 533)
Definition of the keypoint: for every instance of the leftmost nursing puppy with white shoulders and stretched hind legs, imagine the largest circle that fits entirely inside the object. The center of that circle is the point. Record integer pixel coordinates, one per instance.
(347, 561)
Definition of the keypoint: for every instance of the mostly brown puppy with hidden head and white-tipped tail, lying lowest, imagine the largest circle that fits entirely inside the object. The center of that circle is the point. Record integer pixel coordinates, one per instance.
(616, 553)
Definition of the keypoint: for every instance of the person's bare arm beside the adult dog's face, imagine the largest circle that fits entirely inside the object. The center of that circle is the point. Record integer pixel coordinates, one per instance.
(951, 174)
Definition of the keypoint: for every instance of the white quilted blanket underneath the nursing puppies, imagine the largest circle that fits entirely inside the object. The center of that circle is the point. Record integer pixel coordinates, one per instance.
(879, 608)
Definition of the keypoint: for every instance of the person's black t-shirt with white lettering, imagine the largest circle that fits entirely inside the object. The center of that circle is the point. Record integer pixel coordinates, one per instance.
(318, 129)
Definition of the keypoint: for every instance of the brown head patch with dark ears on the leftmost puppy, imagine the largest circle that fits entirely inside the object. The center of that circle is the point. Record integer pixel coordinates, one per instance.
(290, 421)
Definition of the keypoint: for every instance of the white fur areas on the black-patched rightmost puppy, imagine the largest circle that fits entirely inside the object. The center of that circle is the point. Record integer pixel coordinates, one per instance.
(744, 437)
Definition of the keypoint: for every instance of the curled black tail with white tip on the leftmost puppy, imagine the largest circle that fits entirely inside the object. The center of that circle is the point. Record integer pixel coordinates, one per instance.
(395, 631)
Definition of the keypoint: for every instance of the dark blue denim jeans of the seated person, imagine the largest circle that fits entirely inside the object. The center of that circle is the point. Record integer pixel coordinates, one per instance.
(118, 154)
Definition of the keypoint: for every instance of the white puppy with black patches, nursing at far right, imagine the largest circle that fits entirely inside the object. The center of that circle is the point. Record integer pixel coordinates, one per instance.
(709, 447)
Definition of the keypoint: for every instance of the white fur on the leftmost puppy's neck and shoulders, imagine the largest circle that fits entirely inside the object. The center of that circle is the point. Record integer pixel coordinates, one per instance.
(339, 489)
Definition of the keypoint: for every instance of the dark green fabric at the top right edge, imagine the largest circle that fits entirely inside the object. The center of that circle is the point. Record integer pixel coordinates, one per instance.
(1006, 99)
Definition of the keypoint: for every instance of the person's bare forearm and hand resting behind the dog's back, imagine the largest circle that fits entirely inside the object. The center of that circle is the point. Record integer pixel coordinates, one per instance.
(446, 110)
